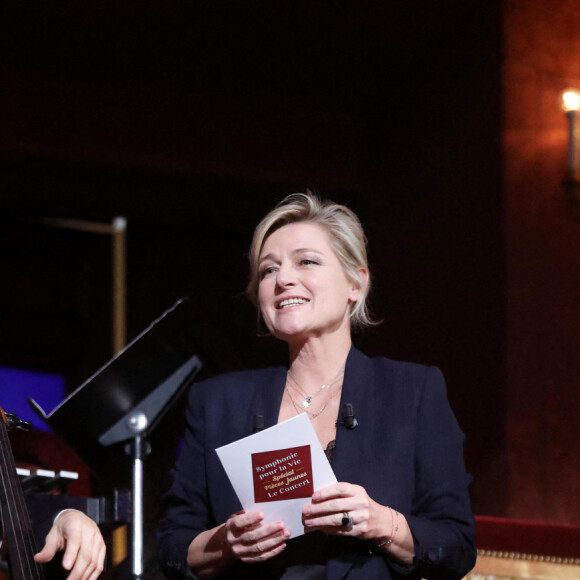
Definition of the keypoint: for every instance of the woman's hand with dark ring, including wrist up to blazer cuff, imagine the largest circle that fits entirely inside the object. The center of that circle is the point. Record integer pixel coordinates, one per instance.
(344, 509)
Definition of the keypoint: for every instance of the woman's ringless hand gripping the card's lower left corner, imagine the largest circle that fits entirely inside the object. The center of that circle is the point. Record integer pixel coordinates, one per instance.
(251, 541)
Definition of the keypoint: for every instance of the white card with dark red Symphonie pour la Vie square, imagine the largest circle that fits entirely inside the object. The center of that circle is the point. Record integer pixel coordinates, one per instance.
(276, 470)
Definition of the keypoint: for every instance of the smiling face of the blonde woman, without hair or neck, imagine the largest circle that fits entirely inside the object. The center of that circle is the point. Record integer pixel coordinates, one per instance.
(304, 291)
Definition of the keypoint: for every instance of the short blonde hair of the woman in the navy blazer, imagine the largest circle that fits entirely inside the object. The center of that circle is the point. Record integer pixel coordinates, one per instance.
(345, 233)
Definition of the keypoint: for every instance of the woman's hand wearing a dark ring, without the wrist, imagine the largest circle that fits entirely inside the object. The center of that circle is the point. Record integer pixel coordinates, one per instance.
(344, 509)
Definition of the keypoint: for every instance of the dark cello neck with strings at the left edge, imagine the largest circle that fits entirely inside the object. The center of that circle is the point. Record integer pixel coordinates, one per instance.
(13, 510)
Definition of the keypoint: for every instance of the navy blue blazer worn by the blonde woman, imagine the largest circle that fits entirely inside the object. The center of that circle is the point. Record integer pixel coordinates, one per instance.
(407, 452)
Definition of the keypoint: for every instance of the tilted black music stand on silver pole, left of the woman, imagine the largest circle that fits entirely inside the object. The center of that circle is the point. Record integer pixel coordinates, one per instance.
(126, 398)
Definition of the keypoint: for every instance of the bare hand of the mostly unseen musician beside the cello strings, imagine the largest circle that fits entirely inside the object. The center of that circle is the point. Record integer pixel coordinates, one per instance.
(80, 538)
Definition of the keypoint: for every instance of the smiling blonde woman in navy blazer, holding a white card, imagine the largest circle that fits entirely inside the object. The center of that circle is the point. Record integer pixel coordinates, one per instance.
(401, 506)
